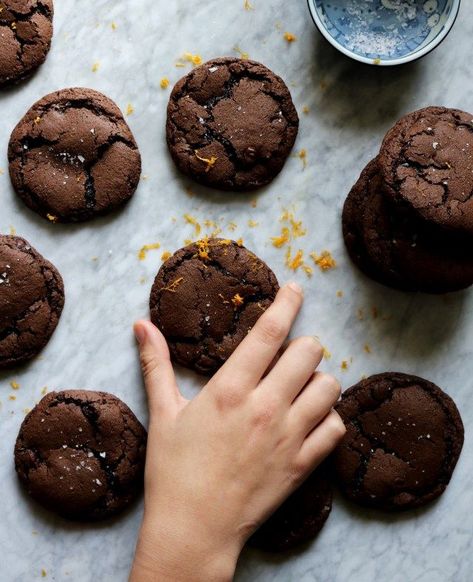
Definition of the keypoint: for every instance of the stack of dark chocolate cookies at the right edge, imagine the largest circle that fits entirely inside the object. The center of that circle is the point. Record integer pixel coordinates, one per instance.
(408, 221)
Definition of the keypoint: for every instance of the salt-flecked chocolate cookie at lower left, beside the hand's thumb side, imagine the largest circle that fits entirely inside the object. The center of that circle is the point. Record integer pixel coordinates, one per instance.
(81, 454)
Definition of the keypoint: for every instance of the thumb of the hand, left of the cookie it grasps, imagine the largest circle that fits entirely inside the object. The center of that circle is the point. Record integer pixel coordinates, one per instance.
(163, 393)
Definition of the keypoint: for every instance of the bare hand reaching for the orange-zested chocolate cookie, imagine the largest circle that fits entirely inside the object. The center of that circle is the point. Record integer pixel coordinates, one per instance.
(219, 465)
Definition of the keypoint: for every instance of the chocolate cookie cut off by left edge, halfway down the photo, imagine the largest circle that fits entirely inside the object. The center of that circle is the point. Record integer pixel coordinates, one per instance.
(31, 301)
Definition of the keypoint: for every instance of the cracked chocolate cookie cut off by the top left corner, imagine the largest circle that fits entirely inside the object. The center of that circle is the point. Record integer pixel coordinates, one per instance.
(26, 29)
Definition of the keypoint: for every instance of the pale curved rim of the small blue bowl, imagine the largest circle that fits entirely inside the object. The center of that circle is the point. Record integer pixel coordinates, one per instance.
(386, 62)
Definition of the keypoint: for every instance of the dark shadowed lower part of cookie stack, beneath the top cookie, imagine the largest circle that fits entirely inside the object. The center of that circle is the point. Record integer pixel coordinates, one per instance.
(397, 249)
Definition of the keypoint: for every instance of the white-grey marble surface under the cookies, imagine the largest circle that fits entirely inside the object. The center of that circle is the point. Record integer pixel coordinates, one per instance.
(350, 108)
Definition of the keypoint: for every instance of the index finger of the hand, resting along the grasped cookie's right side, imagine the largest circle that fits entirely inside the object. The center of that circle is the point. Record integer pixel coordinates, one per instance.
(252, 357)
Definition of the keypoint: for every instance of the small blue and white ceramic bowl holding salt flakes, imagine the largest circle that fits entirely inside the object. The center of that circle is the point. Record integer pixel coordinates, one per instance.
(384, 32)
